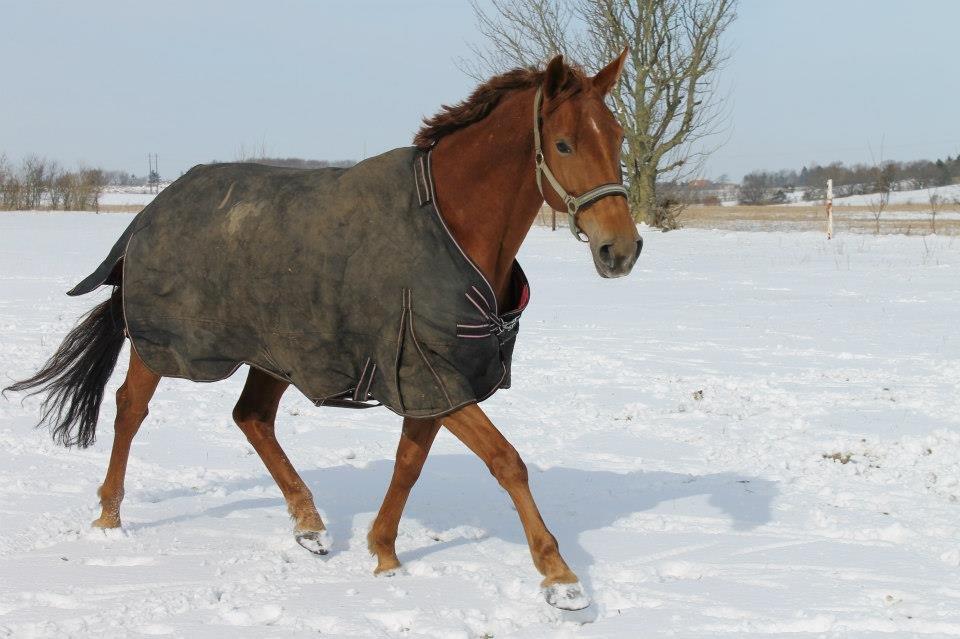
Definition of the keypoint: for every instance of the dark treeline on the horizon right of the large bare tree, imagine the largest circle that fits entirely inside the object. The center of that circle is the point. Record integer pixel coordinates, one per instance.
(771, 187)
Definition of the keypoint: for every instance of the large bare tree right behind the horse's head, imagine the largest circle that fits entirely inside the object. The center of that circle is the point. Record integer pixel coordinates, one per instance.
(666, 101)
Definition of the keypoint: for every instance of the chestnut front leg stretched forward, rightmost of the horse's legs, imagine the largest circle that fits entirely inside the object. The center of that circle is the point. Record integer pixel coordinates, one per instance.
(471, 426)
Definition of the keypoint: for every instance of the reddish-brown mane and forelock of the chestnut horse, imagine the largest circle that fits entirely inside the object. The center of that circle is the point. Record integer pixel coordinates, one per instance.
(486, 96)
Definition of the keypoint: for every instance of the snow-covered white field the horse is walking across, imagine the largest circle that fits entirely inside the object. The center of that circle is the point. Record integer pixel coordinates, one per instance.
(755, 434)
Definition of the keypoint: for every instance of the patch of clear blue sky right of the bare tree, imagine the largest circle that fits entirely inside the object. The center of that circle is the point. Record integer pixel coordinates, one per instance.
(822, 80)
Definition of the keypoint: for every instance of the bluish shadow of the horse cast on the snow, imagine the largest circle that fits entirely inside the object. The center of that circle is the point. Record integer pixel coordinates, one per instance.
(457, 490)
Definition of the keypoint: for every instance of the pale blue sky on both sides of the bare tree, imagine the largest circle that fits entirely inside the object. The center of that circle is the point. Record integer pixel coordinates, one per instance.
(106, 82)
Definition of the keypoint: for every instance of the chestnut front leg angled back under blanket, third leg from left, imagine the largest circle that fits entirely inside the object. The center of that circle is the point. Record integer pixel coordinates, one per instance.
(415, 442)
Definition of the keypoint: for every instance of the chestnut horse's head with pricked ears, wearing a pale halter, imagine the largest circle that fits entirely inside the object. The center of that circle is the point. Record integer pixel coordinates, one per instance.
(580, 142)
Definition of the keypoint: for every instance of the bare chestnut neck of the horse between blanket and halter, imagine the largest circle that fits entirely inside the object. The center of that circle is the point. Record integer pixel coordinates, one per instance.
(486, 188)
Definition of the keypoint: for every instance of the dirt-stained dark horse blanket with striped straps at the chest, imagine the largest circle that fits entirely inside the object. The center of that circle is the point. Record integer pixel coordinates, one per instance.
(344, 282)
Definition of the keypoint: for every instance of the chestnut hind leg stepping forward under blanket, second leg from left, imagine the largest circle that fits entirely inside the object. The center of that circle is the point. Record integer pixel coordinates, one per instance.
(255, 414)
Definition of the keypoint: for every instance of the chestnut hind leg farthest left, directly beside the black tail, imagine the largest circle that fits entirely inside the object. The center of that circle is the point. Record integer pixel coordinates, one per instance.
(132, 399)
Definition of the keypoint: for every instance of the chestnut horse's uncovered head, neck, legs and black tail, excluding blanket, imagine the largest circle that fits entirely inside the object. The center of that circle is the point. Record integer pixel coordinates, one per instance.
(521, 138)
